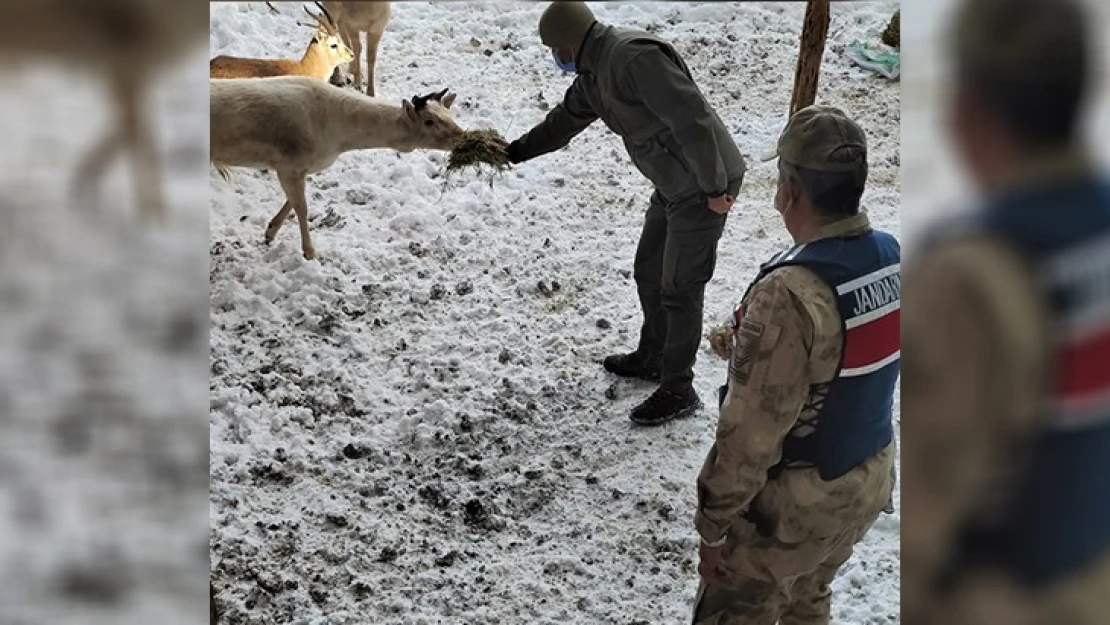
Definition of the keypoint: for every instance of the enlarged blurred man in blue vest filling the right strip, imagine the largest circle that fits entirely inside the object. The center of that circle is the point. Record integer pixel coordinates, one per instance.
(1006, 402)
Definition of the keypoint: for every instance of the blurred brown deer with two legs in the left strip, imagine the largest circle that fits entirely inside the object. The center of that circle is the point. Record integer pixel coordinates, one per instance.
(125, 41)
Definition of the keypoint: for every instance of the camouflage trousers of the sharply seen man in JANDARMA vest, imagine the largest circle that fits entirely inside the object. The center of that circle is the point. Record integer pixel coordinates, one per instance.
(772, 582)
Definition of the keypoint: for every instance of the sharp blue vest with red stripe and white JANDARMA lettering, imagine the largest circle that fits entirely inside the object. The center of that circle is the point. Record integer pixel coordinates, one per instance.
(854, 422)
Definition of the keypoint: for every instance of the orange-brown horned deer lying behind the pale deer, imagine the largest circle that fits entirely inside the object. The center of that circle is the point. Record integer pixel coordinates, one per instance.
(325, 54)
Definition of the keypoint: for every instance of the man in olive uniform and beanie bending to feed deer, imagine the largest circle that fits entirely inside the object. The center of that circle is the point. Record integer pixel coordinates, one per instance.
(641, 88)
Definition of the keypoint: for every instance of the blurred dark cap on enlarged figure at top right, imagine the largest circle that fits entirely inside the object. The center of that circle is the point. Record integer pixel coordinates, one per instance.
(1018, 42)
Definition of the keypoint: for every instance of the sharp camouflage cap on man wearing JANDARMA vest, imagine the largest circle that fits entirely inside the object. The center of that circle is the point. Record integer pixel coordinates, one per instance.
(813, 137)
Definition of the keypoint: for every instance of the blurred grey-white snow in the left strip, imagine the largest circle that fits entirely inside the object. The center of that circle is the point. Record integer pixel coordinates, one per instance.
(103, 360)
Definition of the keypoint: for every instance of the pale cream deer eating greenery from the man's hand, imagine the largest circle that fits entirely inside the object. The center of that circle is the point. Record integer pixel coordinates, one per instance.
(297, 126)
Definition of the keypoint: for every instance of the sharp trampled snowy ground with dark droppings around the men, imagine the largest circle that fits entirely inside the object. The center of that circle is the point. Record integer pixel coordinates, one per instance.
(417, 428)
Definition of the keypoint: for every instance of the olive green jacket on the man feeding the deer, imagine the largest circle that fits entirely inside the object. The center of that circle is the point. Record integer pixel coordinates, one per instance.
(643, 90)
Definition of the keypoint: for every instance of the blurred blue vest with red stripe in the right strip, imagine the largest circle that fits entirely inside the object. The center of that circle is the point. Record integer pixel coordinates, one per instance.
(1058, 520)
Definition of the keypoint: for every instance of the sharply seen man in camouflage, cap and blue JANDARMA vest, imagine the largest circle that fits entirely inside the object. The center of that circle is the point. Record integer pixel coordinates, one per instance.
(804, 459)
